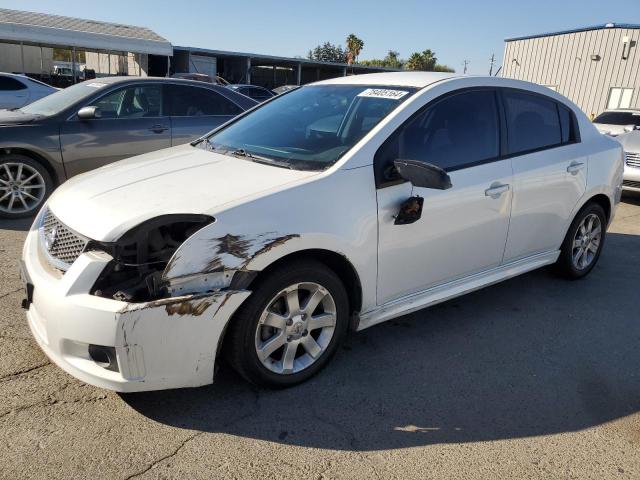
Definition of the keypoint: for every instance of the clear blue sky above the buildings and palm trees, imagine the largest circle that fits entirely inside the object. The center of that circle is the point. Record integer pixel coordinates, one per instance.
(456, 30)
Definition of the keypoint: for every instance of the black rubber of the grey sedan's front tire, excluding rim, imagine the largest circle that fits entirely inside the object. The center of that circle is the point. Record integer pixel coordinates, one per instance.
(9, 161)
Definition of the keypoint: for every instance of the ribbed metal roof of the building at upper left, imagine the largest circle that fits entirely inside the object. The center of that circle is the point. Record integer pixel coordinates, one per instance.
(45, 29)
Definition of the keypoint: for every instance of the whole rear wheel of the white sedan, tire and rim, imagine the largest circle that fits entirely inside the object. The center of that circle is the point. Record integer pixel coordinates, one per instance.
(571, 264)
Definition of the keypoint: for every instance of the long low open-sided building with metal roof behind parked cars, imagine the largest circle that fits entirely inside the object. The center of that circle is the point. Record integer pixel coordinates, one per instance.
(64, 50)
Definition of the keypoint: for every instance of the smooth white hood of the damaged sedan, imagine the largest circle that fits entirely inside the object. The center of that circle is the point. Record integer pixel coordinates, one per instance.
(105, 203)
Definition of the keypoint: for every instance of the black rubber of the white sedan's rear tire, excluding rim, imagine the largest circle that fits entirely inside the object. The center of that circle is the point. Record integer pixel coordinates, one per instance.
(565, 265)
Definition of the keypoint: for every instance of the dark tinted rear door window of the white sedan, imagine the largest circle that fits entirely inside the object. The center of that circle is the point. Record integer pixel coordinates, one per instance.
(533, 122)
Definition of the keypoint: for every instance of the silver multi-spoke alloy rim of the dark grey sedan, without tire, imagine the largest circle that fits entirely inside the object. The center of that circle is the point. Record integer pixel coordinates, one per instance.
(22, 188)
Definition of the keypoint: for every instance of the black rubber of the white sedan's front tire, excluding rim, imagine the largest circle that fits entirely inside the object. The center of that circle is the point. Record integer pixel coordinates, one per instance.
(240, 342)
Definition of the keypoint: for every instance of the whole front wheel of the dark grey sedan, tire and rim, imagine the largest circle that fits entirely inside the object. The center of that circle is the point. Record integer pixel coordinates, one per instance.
(19, 200)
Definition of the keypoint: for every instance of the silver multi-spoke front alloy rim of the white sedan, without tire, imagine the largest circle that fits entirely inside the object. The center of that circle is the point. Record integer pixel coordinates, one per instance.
(296, 328)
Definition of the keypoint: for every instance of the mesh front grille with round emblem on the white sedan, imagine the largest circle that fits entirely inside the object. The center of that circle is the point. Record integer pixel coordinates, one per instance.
(61, 245)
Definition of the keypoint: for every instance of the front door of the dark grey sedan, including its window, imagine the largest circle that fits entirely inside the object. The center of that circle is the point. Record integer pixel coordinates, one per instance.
(132, 123)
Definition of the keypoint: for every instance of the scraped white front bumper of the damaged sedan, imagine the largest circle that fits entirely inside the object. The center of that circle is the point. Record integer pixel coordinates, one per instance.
(168, 343)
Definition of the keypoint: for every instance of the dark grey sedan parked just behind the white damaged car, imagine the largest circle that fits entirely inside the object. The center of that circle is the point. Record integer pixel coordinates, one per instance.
(97, 122)
